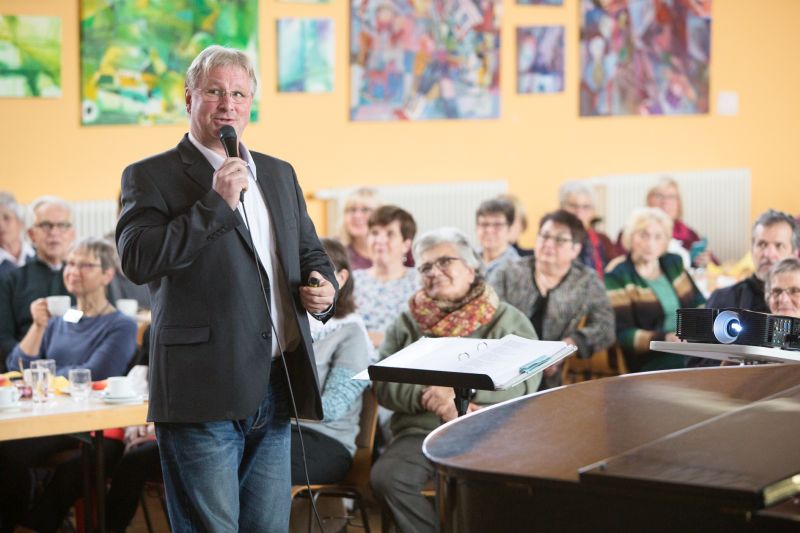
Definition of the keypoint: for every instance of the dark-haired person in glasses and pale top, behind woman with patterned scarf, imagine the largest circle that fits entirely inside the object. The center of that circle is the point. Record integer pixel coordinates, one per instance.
(493, 220)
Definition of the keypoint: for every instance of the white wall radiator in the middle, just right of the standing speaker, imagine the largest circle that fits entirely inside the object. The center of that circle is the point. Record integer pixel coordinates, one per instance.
(432, 205)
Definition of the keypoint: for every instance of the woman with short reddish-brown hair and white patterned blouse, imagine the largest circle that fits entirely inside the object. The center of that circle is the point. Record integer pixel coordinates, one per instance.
(382, 290)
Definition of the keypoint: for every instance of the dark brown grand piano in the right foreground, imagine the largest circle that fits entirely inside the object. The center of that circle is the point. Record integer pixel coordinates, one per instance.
(713, 449)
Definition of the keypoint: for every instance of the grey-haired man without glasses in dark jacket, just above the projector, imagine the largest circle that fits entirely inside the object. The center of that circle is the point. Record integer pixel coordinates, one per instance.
(775, 236)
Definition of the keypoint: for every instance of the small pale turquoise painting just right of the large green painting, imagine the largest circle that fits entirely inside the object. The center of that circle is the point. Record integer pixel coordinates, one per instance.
(305, 55)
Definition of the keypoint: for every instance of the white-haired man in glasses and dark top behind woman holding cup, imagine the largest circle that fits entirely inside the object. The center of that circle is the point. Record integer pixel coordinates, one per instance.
(51, 234)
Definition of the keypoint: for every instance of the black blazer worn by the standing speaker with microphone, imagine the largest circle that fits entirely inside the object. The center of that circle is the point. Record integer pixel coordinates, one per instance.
(210, 338)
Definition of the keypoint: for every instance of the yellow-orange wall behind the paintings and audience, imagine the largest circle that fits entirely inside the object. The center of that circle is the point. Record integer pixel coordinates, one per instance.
(538, 142)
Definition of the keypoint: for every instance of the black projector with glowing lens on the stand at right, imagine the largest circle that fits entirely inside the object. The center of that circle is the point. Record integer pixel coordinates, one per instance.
(738, 326)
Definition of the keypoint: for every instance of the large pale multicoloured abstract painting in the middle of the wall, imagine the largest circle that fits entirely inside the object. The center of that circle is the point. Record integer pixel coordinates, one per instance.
(424, 60)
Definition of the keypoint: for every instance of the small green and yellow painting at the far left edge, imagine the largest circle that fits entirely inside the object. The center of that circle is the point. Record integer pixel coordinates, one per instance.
(30, 56)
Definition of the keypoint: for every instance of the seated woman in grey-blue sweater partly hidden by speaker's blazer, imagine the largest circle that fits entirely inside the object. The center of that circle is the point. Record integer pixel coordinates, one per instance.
(341, 349)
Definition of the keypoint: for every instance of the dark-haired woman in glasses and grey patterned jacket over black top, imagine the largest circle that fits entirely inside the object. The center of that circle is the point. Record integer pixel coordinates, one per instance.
(563, 299)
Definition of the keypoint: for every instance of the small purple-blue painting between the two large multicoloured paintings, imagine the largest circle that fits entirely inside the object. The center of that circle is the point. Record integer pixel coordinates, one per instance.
(540, 59)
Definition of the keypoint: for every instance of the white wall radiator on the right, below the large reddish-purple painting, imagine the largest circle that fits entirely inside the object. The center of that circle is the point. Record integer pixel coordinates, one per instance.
(716, 204)
